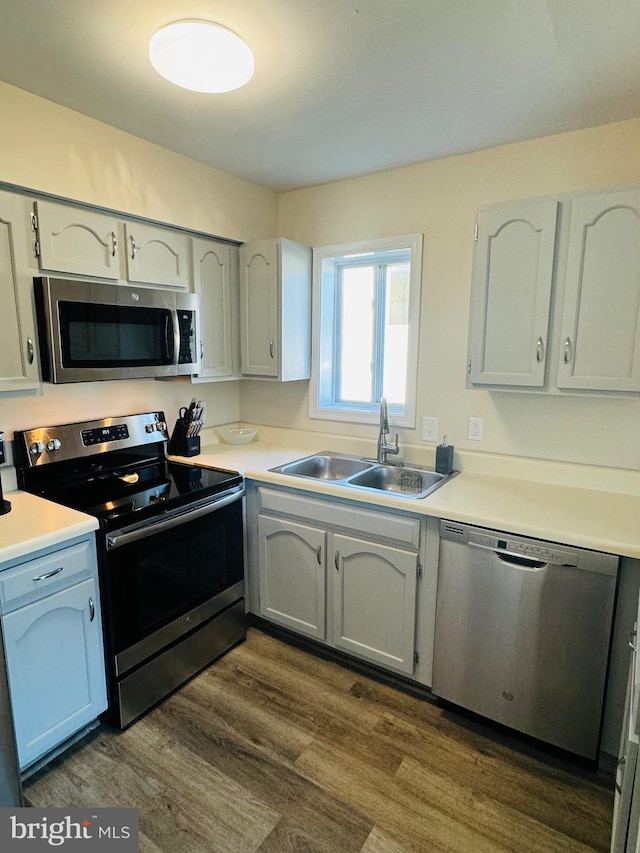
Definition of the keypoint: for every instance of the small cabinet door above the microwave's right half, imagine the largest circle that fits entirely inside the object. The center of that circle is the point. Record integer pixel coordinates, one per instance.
(156, 255)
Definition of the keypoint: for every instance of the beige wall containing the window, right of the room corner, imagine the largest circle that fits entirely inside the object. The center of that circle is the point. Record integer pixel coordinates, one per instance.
(440, 199)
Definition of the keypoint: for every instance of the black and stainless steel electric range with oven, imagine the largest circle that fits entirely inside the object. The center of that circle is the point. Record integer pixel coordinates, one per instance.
(170, 548)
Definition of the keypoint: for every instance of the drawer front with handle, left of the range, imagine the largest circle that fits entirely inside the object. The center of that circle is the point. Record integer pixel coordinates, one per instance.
(38, 578)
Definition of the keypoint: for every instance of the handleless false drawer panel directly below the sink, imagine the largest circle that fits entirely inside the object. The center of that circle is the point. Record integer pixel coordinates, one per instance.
(388, 526)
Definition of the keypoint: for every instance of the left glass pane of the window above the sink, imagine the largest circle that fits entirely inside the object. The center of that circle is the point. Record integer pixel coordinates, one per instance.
(356, 323)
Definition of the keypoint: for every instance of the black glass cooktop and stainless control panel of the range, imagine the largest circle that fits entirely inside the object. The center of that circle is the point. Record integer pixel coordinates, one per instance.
(116, 479)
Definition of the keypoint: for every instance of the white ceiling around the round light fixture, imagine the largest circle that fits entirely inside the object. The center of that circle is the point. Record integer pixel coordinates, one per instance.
(342, 87)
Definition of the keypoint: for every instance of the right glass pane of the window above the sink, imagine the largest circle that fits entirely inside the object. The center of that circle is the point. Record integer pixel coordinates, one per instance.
(396, 333)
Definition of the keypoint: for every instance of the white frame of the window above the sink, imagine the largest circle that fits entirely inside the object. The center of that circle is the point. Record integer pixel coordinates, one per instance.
(323, 343)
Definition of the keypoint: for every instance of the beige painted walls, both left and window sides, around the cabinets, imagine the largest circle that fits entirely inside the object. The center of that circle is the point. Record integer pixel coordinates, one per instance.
(46, 147)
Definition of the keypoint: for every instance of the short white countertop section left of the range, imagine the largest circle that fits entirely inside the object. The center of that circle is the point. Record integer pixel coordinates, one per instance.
(35, 523)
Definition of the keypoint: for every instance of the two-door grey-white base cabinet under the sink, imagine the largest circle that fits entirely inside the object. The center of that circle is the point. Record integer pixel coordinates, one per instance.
(344, 575)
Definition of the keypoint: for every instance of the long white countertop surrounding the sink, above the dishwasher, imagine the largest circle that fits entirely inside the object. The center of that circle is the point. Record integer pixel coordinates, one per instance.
(588, 518)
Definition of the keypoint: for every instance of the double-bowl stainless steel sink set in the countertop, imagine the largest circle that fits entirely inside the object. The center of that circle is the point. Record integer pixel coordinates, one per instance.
(363, 474)
